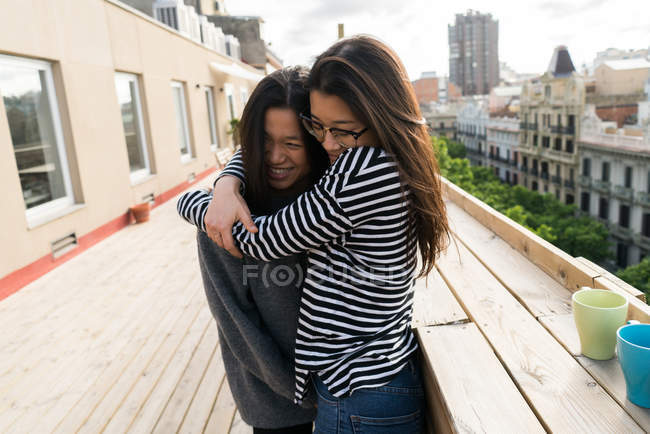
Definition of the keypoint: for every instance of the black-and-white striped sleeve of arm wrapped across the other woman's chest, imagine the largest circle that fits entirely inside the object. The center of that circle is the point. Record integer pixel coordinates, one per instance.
(344, 197)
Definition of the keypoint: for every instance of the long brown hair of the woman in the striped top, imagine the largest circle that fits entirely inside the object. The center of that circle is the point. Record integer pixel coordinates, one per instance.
(369, 77)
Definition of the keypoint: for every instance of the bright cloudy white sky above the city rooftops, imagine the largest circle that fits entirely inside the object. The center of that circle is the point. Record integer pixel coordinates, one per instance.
(529, 30)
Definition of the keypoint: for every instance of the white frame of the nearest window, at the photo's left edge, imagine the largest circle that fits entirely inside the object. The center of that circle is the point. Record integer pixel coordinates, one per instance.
(40, 213)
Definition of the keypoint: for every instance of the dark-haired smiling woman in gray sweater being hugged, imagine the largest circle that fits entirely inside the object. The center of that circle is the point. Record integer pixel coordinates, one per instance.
(255, 303)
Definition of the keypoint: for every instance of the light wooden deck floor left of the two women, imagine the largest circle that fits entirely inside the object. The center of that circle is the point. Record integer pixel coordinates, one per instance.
(119, 339)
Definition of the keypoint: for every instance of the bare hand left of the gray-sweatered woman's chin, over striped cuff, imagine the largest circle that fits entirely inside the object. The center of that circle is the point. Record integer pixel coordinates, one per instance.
(227, 208)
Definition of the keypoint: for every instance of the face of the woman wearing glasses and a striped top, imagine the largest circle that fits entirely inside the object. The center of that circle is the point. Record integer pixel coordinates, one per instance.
(333, 112)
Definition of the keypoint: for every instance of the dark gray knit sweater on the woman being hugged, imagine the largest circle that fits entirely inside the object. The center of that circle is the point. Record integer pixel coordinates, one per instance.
(255, 305)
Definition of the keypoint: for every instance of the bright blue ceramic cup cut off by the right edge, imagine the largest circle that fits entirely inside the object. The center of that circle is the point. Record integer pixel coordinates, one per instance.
(633, 347)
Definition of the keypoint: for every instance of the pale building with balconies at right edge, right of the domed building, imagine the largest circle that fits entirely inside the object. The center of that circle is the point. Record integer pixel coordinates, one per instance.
(614, 185)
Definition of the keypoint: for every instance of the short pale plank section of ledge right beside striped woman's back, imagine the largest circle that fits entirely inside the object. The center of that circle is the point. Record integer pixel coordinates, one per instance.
(434, 303)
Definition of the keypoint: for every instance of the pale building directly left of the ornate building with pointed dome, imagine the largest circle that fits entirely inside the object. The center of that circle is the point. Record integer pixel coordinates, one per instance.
(503, 147)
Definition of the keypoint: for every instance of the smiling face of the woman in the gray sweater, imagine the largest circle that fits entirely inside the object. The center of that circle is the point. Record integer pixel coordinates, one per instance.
(285, 151)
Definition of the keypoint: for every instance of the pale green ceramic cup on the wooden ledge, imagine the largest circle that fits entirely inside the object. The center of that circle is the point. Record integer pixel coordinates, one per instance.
(598, 314)
